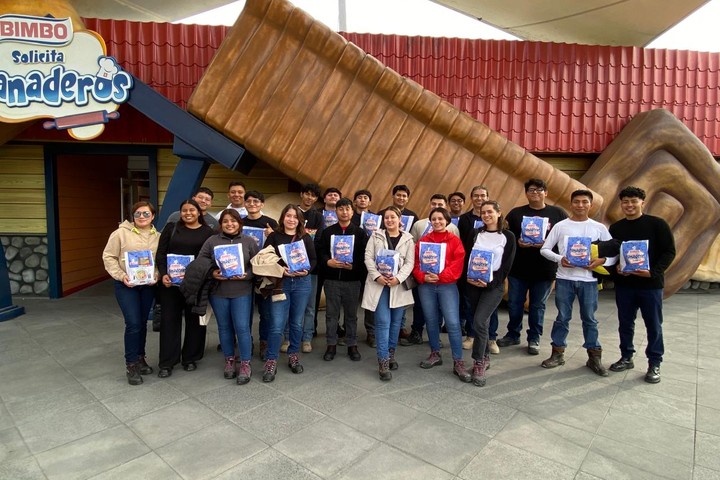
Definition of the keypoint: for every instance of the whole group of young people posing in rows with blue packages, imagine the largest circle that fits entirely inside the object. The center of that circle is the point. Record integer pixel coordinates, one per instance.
(287, 299)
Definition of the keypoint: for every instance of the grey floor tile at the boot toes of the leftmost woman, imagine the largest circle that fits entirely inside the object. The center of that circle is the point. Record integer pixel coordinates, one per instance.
(142, 399)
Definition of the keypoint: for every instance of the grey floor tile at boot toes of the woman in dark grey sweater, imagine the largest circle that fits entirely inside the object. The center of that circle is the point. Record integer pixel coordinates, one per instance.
(232, 399)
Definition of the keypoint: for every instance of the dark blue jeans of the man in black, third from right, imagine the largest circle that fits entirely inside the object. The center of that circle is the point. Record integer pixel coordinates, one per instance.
(539, 292)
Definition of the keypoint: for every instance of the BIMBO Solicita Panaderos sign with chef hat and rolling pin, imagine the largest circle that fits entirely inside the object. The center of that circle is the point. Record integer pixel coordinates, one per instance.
(48, 70)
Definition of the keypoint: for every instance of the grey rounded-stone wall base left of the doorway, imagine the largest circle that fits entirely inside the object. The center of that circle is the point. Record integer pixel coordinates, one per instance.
(26, 257)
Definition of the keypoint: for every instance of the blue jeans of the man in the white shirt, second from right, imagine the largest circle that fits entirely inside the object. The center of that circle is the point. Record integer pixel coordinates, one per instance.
(565, 293)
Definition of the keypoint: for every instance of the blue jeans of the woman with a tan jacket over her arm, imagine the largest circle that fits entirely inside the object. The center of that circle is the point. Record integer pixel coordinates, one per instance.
(291, 312)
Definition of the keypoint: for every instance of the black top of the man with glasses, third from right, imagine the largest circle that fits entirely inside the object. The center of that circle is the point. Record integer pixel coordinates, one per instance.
(529, 265)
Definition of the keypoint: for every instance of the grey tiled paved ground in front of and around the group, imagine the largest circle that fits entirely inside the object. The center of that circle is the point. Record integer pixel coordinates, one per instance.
(66, 410)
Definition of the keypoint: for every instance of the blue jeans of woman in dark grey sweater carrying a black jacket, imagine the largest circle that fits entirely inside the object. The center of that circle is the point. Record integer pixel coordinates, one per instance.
(233, 316)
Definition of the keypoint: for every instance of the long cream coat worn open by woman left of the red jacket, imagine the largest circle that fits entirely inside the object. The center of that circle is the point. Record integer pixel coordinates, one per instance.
(399, 295)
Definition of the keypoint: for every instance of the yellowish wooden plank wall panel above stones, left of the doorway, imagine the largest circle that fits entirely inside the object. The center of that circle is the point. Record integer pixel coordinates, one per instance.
(22, 190)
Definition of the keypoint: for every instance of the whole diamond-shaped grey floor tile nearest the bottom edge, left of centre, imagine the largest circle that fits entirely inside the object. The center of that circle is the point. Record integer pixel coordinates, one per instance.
(326, 447)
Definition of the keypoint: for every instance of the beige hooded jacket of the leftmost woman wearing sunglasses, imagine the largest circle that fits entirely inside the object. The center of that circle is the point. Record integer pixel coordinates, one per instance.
(127, 238)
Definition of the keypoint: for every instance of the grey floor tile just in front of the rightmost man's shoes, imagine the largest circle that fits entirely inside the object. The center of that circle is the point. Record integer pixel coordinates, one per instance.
(656, 407)
